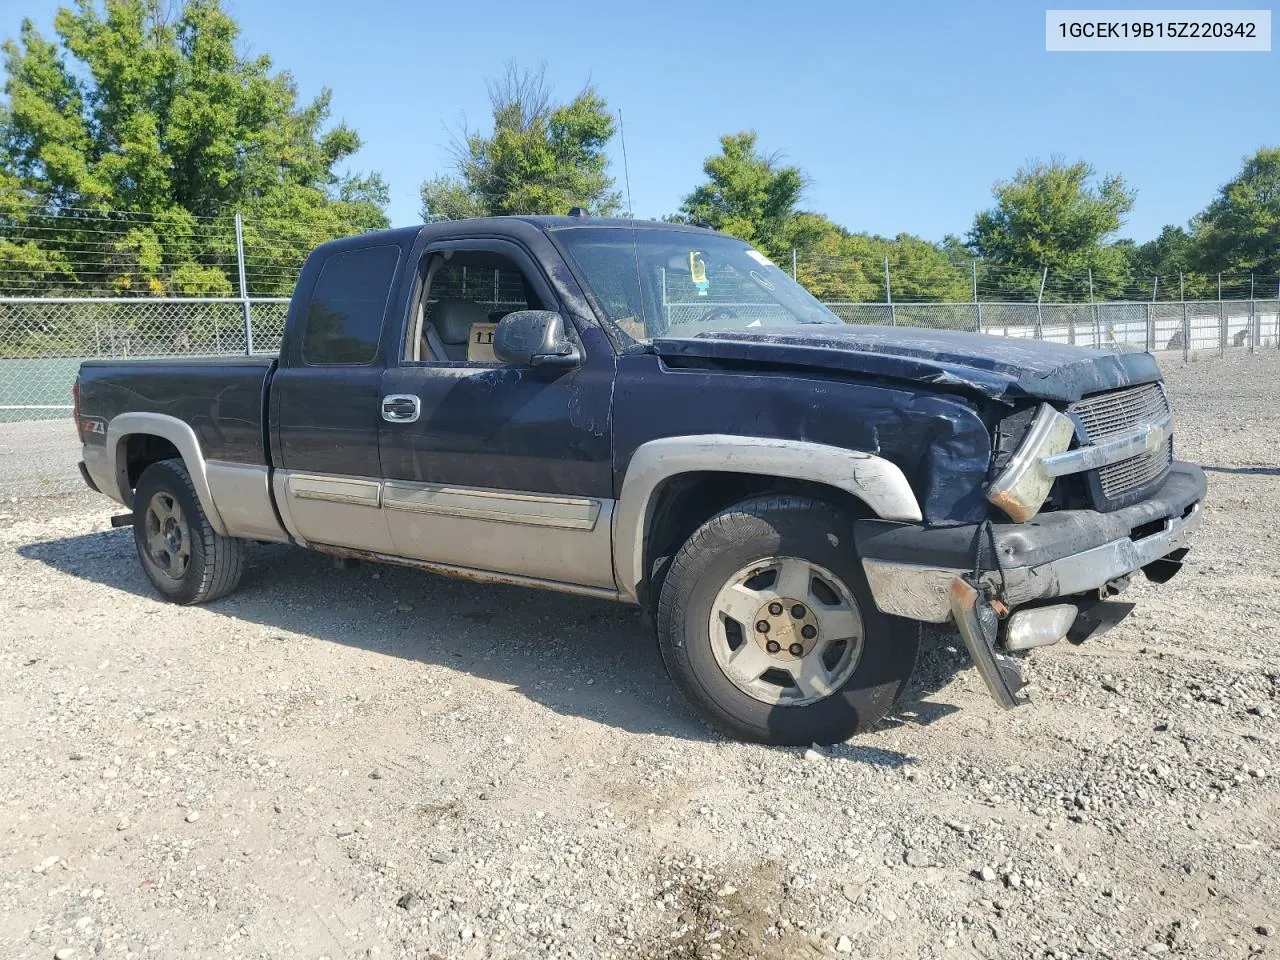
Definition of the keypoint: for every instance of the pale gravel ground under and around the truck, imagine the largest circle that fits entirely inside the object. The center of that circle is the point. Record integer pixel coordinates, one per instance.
(374, 762)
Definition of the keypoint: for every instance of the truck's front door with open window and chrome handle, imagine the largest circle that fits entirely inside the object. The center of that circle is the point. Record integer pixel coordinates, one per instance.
(490, 467)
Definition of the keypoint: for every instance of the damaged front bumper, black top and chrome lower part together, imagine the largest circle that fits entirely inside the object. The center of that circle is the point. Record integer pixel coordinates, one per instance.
(911, 569)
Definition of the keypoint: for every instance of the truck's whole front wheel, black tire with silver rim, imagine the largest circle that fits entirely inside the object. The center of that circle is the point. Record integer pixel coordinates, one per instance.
(767, 625)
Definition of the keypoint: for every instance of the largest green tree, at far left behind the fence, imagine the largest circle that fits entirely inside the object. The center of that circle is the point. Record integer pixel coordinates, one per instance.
(130, 141)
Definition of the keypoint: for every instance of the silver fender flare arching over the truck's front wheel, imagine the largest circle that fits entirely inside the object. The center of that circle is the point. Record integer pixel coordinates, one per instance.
(875, 481)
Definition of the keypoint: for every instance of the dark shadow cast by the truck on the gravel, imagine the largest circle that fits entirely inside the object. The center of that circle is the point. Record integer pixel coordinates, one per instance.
(577, 656)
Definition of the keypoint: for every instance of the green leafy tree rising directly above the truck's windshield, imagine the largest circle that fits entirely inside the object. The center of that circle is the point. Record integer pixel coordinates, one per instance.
(755, 198)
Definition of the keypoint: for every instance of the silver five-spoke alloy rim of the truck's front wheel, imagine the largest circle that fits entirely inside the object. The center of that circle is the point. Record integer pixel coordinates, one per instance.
(787, 632)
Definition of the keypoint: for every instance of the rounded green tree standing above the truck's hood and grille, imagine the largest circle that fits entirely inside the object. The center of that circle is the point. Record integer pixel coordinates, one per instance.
(1052, 216)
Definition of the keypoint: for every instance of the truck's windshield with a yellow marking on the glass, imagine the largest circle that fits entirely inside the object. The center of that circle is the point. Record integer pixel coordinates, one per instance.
(682, 284)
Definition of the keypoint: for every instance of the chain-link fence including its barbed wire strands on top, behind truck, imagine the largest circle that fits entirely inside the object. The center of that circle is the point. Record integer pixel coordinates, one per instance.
(79, 285)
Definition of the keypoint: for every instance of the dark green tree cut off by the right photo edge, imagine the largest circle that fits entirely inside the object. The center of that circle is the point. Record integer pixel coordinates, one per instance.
(1240, 232)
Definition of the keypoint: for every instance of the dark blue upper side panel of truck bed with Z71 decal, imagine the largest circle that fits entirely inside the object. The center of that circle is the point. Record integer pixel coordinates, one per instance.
(223, 399)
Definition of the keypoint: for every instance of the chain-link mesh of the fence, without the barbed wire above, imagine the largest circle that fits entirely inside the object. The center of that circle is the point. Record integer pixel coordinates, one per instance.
(44, 340)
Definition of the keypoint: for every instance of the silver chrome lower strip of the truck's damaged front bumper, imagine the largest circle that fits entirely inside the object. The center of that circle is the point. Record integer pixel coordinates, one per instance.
(921, 592)
